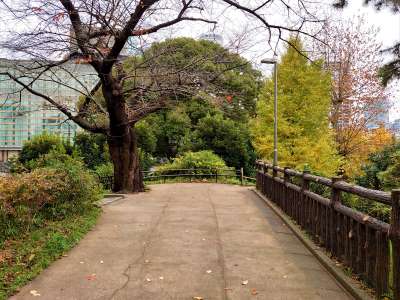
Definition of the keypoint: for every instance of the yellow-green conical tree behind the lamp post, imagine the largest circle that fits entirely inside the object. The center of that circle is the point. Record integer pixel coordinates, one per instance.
(304, 137)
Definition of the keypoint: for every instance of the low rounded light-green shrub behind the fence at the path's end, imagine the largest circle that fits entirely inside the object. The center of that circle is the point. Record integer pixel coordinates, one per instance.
(206, 161)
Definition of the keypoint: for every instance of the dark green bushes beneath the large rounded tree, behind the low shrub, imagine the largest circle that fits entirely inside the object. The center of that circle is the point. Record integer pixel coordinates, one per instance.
(168, 134)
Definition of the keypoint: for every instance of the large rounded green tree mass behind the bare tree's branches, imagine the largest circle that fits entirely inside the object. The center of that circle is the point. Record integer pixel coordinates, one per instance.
(215, 118)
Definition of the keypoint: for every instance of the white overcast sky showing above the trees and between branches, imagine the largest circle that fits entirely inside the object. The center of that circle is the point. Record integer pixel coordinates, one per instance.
(232, 23)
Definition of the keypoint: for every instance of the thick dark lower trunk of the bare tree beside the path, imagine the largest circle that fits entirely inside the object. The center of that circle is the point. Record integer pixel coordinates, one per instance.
(124, 154)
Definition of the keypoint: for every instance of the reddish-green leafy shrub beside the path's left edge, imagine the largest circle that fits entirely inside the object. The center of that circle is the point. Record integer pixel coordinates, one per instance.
(58, 187)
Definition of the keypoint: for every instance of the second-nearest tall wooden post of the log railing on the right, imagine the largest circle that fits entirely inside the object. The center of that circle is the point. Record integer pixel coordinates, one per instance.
(334, 222)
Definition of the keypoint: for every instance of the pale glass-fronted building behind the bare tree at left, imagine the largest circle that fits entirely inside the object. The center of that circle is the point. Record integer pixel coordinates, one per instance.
(24, 115)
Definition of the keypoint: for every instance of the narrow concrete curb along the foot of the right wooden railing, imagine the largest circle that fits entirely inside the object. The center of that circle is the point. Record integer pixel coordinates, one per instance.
(347, 283)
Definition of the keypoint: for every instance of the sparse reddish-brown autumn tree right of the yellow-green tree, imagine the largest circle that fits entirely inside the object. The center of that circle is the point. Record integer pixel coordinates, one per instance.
(358, 100)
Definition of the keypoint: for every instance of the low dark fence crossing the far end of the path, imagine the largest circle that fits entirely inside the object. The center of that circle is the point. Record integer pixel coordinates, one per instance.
(194, 173)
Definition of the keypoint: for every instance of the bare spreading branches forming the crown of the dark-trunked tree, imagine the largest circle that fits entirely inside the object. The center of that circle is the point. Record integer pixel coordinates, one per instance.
(96, 32)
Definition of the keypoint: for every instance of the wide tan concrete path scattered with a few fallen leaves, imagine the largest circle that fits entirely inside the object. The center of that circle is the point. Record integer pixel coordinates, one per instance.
(182, 241)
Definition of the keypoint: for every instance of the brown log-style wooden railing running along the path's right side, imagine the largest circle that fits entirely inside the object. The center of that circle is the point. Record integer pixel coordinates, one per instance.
(366, 245)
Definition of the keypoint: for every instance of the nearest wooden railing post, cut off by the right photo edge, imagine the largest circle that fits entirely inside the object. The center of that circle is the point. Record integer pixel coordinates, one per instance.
(394, 234)
